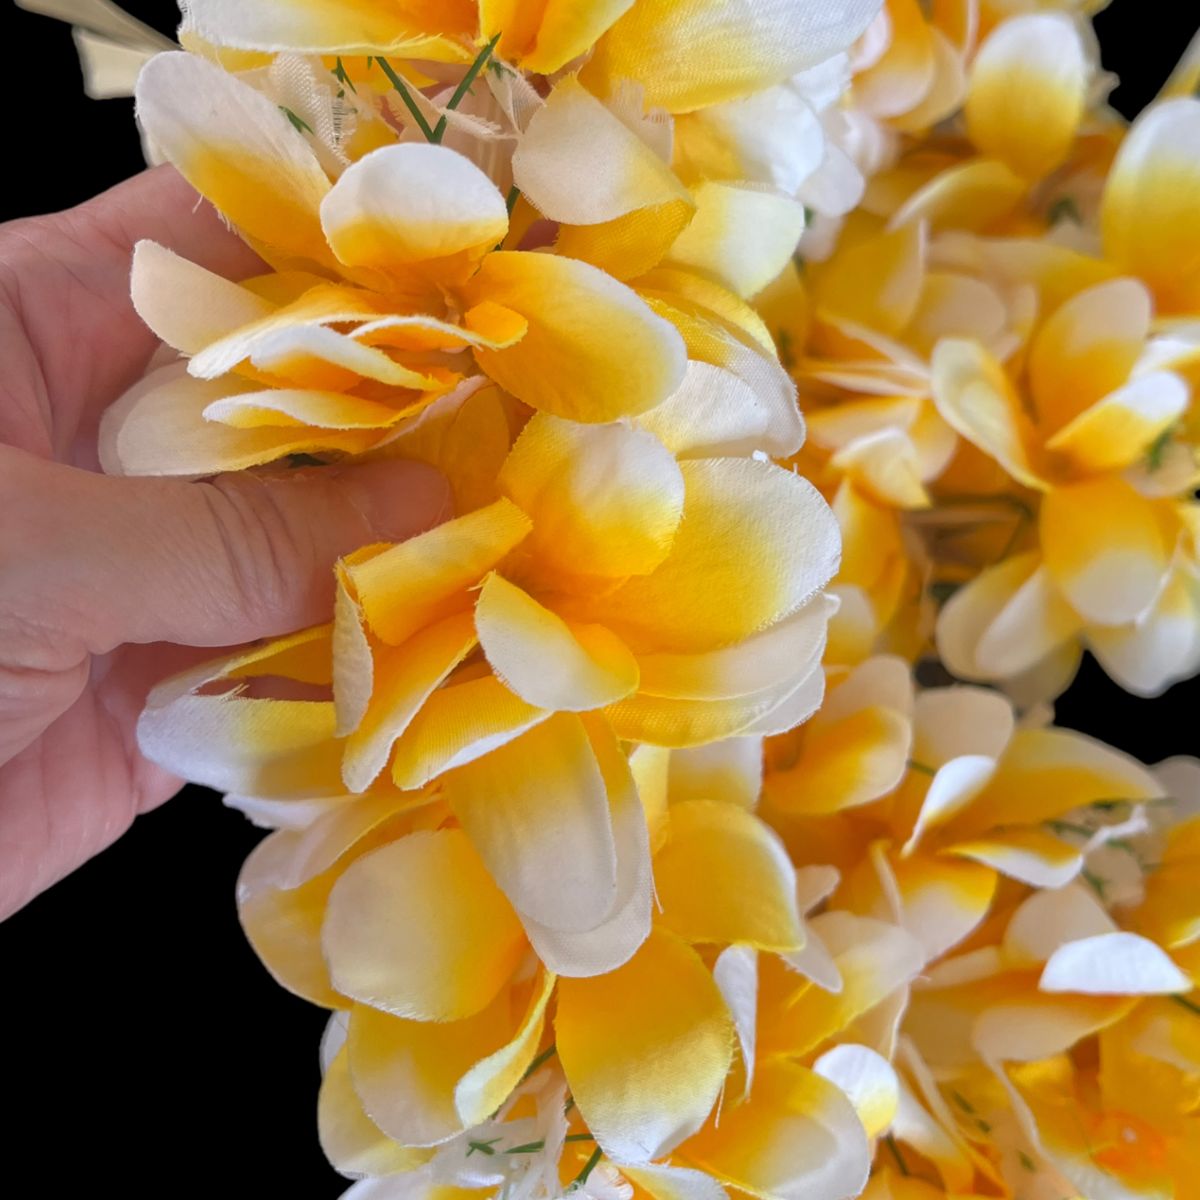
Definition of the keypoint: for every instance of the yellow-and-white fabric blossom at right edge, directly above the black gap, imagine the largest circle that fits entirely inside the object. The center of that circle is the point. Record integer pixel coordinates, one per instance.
(1113, 563)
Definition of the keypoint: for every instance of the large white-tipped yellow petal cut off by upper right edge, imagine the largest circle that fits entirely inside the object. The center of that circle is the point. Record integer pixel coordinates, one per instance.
(1151, 207)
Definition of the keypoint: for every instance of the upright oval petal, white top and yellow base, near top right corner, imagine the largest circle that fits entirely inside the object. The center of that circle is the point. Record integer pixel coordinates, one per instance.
(1027, 93)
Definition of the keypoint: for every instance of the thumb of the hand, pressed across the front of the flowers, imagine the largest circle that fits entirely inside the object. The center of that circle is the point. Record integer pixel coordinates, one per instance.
(93, 562)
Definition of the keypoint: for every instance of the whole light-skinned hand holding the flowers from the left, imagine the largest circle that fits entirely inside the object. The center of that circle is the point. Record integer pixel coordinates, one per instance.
(106, 584)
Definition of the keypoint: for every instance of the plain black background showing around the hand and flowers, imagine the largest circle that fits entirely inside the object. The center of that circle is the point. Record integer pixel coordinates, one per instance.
(142, 1046)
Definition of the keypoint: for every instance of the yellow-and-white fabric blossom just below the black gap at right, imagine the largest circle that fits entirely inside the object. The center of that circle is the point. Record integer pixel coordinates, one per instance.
(950, 796)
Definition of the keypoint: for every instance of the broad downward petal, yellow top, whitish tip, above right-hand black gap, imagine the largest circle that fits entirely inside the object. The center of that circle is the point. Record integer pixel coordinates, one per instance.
(1107, 548)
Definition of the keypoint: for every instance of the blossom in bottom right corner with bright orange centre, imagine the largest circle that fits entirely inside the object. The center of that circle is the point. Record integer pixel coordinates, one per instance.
(1075, 1015)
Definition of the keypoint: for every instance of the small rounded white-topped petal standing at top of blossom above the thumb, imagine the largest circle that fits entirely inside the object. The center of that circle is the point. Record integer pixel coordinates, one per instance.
(412, 203)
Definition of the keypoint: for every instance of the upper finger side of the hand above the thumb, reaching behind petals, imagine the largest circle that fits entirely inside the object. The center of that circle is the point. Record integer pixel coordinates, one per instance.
(67, 280)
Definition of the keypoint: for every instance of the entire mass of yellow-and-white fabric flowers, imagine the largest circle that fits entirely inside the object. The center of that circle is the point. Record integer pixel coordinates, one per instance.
(610, 820)
